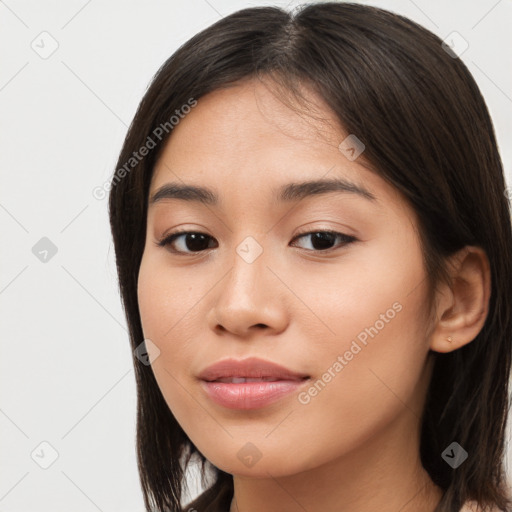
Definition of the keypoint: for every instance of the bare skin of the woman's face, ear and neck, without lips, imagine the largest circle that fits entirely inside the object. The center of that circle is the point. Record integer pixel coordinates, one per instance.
(355, 445)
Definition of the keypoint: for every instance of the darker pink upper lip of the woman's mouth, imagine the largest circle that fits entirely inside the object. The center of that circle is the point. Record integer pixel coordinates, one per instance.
(251, 367)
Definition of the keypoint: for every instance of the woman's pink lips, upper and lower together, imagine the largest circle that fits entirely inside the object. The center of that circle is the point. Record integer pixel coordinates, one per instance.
(249, 395)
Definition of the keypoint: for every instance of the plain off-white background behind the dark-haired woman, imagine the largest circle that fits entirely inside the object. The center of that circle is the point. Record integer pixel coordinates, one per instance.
(66, 372)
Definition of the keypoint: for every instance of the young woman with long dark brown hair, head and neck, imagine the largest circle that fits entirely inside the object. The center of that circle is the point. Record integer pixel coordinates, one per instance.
(313, 244)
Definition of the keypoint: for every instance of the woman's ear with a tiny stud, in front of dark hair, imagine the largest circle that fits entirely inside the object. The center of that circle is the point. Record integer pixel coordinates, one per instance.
(462, 305)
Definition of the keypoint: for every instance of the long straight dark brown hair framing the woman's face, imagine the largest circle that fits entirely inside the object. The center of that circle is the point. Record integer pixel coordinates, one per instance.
(427, 131)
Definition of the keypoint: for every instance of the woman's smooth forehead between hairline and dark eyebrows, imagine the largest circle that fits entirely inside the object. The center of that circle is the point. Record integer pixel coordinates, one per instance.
(243, 140)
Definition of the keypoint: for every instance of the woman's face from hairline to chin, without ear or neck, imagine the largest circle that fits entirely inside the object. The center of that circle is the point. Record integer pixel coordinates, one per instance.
(329, 284)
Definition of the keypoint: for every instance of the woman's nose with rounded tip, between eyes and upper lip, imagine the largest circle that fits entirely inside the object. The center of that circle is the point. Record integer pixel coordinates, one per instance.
(249, 299)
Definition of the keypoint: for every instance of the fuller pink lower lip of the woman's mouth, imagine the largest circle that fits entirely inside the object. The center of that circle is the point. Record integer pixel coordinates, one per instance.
(250, 395)
